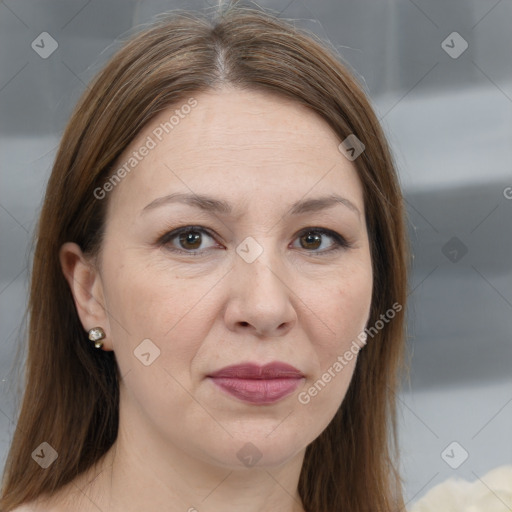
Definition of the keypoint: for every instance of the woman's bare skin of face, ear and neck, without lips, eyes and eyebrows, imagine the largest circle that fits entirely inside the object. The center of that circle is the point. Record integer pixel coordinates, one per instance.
(179, 434)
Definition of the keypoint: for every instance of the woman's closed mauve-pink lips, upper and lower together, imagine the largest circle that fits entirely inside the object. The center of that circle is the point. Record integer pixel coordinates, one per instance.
(256, 384)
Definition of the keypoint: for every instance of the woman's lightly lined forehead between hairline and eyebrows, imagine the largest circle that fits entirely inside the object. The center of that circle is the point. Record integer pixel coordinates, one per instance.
(236, 143)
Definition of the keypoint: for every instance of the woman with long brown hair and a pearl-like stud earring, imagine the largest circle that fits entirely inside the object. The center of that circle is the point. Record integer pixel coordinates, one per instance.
(218, 289)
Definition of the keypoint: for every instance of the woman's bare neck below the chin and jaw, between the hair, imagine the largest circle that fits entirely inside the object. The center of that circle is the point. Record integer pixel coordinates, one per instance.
(147, 474)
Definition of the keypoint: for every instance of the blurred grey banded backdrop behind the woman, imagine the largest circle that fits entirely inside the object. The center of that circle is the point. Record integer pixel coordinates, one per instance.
(439, 74)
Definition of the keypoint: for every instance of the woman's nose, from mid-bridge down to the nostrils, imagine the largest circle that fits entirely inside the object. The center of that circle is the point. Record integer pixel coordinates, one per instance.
(260, 299)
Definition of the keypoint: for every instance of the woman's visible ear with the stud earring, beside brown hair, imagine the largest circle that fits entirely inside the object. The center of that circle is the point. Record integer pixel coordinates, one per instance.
(86, 286)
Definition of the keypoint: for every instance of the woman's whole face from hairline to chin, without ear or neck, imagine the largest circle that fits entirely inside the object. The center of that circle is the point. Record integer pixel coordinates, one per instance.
(260, 277)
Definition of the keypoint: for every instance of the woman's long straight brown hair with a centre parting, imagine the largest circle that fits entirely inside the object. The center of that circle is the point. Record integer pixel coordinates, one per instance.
(71, 390)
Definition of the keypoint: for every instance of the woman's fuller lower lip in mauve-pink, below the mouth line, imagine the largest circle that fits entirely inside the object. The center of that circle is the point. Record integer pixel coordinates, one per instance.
(258, 391)
